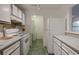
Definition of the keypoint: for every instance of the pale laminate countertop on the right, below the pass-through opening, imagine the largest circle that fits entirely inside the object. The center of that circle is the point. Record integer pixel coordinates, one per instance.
(71, 42)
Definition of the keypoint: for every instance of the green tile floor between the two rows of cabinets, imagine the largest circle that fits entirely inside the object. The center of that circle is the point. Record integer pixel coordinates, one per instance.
(37, 48)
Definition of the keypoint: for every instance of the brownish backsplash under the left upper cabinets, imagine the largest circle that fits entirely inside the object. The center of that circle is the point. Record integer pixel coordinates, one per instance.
(14, 26)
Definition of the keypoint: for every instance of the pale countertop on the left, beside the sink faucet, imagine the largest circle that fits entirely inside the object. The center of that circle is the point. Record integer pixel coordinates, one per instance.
(8, 42)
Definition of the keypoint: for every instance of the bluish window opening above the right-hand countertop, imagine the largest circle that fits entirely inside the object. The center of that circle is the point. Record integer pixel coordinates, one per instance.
(75, 18)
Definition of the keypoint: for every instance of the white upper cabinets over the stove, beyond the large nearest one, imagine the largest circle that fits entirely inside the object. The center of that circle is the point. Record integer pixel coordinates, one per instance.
(17, 14)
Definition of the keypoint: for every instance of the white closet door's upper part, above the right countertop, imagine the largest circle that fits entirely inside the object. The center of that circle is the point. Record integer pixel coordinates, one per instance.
(57, 25)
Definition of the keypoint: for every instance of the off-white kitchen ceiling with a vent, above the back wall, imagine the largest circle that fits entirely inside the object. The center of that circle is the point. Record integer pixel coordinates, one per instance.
(42, 6)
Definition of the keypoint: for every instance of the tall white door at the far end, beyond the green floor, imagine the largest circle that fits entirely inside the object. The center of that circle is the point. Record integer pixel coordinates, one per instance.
(37, 27)
